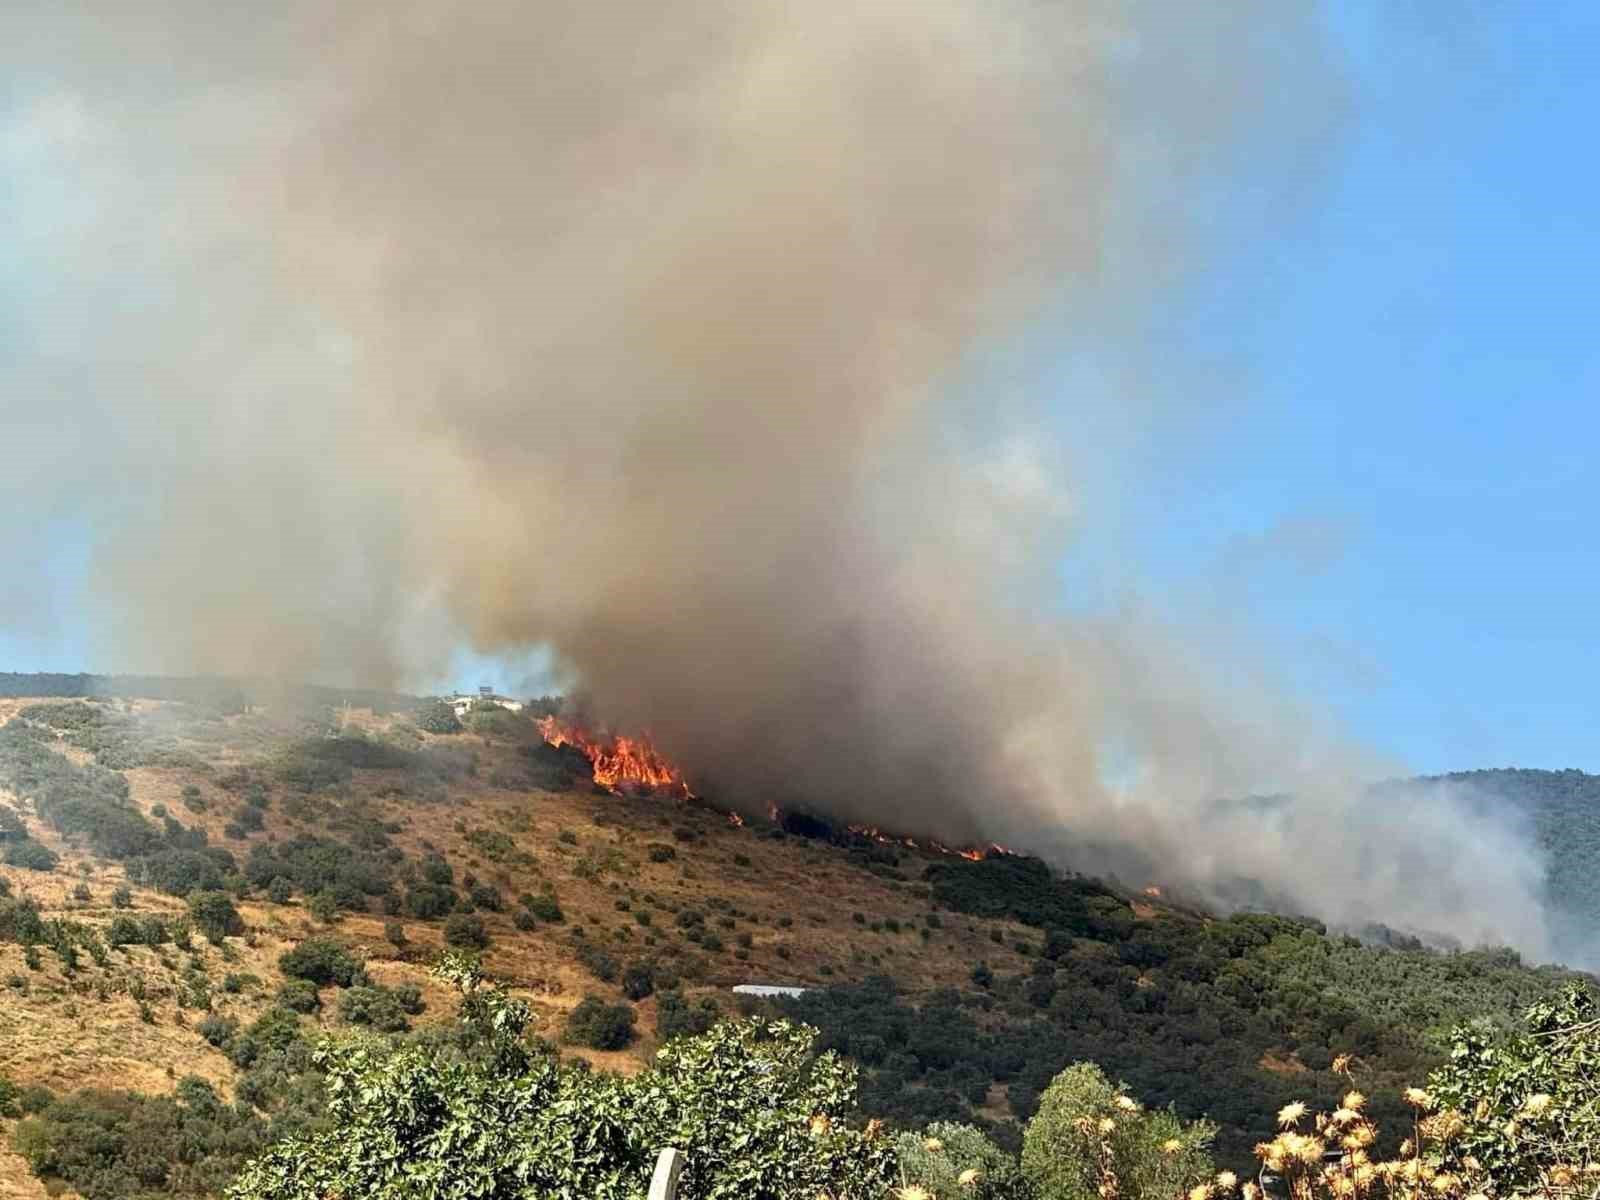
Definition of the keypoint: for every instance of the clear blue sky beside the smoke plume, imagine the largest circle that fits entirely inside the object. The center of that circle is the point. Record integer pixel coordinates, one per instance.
(1399, 498)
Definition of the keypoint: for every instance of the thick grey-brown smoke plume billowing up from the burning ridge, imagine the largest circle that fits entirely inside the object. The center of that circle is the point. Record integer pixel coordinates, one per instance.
(361, 332)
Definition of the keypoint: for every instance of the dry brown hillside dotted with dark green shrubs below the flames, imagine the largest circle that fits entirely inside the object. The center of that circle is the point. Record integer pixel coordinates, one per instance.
(135, 830)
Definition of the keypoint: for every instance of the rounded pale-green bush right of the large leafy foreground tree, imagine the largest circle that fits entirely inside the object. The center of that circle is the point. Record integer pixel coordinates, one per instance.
(1089, 1132)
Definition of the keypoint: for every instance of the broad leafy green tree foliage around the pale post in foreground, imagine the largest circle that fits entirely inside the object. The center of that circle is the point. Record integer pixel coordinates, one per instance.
(753, 1108)
